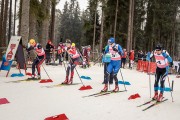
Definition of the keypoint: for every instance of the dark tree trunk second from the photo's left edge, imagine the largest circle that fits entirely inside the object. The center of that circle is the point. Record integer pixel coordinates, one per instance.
(5, 23)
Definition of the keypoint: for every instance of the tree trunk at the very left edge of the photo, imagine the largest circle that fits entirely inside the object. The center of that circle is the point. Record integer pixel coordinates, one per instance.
(1, 20)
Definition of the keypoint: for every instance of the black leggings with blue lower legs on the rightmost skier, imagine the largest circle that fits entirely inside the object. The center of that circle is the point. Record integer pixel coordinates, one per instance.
(160, 76)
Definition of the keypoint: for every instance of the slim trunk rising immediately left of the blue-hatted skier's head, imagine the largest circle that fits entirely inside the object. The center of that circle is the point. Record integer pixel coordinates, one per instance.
(102, 29)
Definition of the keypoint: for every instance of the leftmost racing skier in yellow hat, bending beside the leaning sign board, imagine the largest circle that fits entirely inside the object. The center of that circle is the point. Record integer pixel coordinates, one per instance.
(39, 51)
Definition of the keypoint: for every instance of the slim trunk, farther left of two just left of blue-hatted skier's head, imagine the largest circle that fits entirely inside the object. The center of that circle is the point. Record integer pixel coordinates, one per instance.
(94, 35)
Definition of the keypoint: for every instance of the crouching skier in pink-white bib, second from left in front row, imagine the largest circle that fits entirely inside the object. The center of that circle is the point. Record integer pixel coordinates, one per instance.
(74, 59)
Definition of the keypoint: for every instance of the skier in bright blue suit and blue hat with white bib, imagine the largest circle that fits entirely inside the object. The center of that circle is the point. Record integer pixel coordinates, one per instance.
(115, 50)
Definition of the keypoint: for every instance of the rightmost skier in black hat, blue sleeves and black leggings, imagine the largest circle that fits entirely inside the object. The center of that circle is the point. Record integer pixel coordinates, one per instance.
(162, 59)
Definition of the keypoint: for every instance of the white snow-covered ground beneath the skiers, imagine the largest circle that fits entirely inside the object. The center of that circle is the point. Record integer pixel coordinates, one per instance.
(32, 101)
